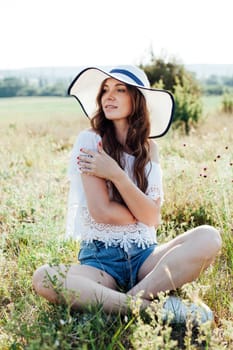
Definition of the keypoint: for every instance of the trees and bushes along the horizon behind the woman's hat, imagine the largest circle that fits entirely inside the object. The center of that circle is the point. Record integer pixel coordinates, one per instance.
(169, 75)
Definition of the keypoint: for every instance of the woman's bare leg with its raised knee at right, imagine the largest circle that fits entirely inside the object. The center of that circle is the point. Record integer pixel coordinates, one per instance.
(178, 261)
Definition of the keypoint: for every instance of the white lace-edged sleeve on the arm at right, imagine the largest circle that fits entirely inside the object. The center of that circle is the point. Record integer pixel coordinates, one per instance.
(155, 186)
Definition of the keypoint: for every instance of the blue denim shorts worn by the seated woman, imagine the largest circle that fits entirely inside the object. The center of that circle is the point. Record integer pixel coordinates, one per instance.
(121, 265)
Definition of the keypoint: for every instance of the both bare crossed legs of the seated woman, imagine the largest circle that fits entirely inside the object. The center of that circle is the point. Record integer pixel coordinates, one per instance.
(169, 267)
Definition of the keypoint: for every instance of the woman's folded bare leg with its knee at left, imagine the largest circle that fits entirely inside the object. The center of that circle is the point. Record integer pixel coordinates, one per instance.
(79, 286)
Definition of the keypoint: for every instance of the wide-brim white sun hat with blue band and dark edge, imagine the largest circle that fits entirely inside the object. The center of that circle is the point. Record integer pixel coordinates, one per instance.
(160, 103)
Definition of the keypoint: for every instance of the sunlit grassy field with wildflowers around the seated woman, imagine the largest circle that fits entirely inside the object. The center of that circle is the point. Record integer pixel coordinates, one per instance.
(36, 138)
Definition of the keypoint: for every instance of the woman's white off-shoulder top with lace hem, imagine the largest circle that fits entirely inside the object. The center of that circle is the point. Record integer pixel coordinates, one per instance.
(80, 225)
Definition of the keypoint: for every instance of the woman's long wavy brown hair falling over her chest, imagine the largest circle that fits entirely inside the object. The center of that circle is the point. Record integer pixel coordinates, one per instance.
(136, 140)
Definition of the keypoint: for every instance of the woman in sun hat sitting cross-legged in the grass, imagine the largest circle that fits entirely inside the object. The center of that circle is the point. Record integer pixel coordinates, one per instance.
(115, 200)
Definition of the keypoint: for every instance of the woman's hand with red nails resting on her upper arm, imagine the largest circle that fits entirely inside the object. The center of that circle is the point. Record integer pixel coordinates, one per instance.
(99, 163)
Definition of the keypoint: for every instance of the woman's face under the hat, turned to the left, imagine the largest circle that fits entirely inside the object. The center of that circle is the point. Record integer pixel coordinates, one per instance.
(116, 100)
